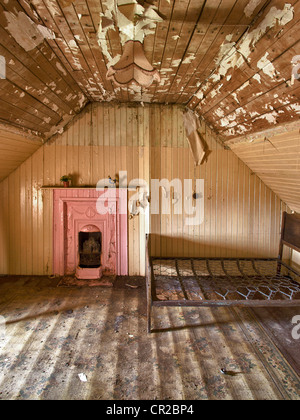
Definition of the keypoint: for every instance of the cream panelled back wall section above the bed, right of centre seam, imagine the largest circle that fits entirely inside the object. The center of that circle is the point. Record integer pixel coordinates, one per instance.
(241, 214)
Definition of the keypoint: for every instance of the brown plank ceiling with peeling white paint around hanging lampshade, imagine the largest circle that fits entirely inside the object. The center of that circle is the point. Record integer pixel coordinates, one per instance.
(234, 62)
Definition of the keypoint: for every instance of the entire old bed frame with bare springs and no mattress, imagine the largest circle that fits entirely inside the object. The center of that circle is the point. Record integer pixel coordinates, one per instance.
(214, 282)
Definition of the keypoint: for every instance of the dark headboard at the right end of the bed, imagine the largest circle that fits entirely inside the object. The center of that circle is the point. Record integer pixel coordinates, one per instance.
(290, 232)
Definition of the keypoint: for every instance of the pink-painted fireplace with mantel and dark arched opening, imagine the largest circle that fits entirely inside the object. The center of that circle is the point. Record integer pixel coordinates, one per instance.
(89, 243)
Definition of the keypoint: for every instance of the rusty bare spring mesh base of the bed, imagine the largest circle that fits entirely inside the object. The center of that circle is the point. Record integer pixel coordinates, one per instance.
(224, 279)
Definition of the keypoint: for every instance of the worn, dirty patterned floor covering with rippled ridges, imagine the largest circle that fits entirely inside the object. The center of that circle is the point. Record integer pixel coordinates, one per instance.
(90, 343)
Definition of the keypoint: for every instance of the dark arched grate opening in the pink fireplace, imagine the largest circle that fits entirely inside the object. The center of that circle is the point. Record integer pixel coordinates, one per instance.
(90, 244)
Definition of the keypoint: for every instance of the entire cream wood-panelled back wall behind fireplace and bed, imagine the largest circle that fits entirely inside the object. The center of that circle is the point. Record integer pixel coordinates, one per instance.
(242, 215)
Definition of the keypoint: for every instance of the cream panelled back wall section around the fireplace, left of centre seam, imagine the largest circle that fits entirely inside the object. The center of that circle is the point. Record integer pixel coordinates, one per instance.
(102, 141)
